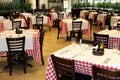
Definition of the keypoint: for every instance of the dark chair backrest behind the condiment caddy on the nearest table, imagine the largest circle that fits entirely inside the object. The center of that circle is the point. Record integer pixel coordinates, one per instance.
(101, 38)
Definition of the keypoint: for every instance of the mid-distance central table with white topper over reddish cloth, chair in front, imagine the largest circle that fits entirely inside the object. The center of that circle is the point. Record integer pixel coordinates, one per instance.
(66, 26)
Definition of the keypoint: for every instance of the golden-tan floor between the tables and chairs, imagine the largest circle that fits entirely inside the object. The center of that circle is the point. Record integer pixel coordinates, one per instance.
(38, 72)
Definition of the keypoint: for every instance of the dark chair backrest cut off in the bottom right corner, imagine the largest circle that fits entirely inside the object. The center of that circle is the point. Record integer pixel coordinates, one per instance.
(105, 74)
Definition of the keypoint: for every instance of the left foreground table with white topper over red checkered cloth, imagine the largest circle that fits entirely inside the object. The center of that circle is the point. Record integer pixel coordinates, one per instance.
(32, 43)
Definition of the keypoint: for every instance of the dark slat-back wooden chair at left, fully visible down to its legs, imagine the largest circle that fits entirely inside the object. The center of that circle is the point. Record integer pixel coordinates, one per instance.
(16, 48)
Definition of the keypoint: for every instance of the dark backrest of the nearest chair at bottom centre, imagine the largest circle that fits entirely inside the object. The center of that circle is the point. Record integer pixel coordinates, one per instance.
(63, 67)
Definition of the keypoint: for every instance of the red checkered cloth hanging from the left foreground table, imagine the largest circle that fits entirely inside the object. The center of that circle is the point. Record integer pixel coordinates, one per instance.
(35, 52)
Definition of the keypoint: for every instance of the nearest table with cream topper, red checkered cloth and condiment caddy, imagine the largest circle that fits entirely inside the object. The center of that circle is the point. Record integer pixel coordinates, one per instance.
(84, 59)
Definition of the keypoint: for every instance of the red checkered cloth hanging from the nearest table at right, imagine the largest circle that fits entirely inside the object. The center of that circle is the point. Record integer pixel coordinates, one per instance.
(80, 67)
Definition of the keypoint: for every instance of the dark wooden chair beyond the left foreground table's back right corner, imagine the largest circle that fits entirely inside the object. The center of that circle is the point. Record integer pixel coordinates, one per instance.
(39, 23)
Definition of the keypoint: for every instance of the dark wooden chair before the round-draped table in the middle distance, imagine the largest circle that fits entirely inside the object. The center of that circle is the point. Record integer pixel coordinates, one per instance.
(76, 29)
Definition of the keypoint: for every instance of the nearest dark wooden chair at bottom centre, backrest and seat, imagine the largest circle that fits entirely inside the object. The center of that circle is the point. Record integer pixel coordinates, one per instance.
(65, 69)
